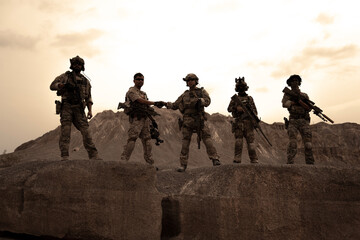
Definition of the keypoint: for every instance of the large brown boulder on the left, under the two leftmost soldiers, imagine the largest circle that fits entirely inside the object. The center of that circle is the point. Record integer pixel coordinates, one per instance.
(80, 199)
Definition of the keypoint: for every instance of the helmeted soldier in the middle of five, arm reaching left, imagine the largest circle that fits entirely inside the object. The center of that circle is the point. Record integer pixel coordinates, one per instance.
(191, 104)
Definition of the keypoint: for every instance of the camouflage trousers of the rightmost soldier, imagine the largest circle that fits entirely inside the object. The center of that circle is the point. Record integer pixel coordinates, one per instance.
(302, 126)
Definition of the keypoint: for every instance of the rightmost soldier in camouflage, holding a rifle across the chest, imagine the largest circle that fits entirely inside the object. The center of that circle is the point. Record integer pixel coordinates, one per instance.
(299, 121)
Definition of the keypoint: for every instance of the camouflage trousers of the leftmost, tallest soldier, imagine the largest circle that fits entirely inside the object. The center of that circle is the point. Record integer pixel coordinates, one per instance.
(75, 114)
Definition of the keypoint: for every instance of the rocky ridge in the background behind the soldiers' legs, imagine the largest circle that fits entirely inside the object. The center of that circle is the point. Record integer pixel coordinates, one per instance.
(335, 145)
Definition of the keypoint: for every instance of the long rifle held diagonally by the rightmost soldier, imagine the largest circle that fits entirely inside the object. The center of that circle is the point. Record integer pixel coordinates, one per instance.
(307, 104)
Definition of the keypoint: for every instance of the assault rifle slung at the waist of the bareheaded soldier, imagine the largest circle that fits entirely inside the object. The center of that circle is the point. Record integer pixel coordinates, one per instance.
(149, 112)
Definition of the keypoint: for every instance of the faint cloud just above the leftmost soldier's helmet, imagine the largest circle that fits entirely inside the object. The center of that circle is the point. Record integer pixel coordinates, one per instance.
(79, 43)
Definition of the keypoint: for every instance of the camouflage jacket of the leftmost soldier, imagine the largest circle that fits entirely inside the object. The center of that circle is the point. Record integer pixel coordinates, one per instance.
(80, 87)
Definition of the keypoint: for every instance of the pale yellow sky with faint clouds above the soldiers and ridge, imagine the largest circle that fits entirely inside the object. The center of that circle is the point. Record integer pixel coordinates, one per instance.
(219, 40)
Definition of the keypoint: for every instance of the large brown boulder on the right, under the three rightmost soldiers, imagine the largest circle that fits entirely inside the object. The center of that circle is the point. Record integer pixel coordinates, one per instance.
(261, 202)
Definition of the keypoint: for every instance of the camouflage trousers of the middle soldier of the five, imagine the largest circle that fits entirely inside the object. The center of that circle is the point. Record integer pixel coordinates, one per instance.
(188, 129)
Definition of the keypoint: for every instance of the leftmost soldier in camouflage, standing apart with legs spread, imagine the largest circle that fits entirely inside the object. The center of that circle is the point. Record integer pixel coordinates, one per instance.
(75, 91)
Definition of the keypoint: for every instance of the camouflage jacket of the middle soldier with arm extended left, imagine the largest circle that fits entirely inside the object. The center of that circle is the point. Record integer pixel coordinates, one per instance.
(191, 101)
